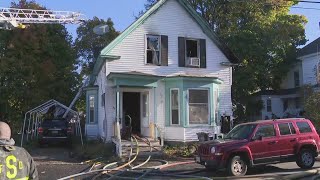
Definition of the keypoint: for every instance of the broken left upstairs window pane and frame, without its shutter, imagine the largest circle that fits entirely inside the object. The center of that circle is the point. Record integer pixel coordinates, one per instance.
(153, 50)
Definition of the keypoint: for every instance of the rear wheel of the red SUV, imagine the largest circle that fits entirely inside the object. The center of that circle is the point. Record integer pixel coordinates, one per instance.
(306, 159)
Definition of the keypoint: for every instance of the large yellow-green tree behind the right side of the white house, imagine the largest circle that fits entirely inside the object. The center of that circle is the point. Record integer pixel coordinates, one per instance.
(261, 33)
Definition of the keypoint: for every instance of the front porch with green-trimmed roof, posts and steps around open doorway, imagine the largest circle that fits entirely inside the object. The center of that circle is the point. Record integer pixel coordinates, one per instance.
(136, 112)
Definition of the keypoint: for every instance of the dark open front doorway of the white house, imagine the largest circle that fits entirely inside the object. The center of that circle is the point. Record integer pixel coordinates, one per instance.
(131, 107)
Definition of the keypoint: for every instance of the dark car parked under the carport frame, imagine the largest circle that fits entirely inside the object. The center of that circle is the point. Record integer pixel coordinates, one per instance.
(54, 130)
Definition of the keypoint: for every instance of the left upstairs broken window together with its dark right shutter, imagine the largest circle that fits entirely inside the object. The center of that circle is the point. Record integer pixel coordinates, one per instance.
(157, 50)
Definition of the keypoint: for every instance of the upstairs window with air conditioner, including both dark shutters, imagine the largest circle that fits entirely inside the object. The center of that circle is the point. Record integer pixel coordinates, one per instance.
(192, 52)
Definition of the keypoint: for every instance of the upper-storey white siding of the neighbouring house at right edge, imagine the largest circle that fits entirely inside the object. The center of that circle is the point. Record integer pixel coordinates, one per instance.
(308, 67)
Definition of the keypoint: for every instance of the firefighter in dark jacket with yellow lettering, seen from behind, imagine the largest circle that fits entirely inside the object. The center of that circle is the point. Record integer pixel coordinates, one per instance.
(15, 162)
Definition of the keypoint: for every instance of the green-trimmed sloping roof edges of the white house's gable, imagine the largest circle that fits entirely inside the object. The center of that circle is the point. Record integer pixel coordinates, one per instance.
(200, 21)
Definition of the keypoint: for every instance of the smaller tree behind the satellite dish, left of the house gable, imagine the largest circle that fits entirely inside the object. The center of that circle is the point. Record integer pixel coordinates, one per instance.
(88, 44)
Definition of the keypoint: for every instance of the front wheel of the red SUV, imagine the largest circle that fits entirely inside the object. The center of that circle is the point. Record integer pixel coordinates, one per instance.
(237, 166)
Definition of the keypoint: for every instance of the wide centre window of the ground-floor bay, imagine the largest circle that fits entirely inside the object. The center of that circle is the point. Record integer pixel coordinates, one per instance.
(198, 106)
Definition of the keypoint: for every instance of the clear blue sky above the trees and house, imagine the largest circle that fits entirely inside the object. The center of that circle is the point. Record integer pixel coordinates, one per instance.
(123, 12)
